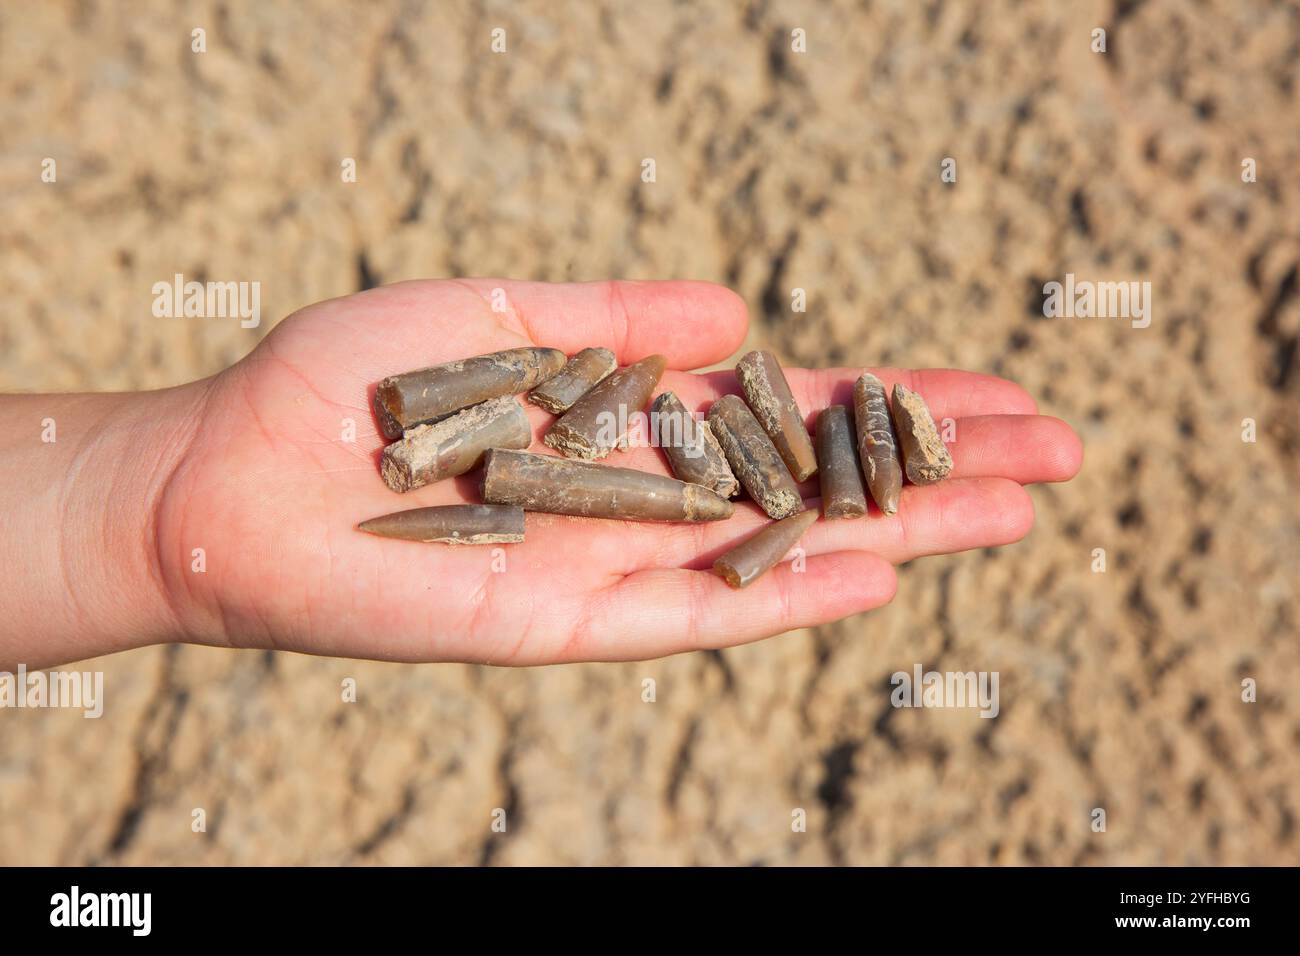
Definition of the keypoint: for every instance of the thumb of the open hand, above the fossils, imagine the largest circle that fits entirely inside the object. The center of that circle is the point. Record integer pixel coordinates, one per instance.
(691, 323)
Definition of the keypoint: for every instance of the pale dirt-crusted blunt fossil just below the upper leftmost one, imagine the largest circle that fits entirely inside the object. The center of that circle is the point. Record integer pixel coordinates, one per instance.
(454, 445)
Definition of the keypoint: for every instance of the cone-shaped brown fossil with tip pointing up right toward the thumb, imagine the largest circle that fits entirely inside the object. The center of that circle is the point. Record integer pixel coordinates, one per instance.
(599, 422)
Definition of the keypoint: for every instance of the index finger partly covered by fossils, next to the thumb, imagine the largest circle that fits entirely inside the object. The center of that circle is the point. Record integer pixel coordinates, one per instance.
(948, 392)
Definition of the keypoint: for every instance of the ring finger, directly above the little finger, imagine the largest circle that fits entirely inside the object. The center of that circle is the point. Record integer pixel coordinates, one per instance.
(955, 516)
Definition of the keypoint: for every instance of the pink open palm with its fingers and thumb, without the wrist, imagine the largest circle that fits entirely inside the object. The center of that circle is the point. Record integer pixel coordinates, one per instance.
(272, 490)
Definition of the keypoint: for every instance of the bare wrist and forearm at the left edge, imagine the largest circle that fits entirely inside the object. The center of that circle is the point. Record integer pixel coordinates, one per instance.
(84, 479)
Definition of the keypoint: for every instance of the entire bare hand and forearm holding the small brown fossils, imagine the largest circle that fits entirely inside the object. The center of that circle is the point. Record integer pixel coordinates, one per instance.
(252, 469)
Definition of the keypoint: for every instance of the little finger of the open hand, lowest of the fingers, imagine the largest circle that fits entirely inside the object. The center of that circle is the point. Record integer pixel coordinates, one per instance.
(670, 611)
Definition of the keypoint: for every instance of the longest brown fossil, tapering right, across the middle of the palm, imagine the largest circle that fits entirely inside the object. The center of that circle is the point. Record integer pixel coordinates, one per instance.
(558, 486)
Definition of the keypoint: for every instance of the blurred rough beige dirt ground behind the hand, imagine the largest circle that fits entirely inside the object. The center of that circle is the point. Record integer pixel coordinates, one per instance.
(775, 171)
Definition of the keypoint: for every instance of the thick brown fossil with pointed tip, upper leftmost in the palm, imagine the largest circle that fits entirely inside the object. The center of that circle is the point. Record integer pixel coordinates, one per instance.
(413, 399)
